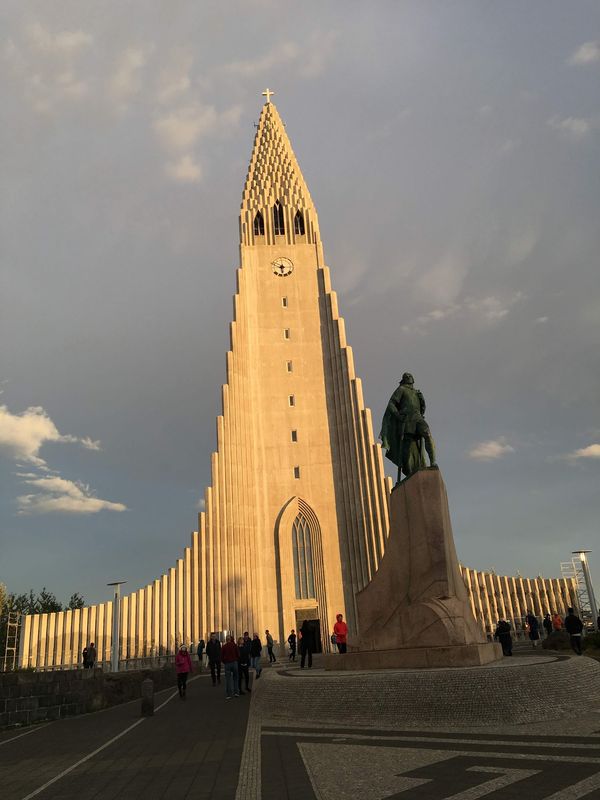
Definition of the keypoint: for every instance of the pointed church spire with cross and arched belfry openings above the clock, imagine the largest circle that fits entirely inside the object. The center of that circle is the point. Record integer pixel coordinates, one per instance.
(276, 204)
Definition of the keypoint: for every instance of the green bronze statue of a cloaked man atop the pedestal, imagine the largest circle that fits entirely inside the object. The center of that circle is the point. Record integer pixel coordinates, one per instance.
(404, 429)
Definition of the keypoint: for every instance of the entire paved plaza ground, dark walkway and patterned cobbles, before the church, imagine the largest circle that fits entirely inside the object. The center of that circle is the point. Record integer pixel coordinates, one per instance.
(297, 744)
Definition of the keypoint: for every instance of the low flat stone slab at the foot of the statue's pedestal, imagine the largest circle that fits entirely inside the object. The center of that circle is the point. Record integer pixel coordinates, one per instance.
(467, 655)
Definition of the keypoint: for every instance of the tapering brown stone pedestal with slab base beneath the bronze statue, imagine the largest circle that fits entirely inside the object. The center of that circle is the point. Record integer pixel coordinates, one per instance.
(416, 612)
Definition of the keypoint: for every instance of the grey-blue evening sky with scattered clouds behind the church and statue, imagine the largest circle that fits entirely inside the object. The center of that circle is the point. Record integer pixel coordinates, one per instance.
(452, 151)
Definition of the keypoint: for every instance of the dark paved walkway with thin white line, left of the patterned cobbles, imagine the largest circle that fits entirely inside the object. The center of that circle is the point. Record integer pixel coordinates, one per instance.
(188, 749)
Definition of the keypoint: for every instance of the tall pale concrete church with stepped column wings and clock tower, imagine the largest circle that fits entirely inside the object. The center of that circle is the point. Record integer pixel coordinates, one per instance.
(297, 514)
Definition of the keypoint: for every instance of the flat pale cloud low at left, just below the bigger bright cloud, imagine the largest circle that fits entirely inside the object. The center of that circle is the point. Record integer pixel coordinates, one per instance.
(56, 494)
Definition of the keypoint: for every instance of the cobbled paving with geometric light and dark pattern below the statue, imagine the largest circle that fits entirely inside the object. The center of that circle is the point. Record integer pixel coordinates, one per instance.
(335, 746)
